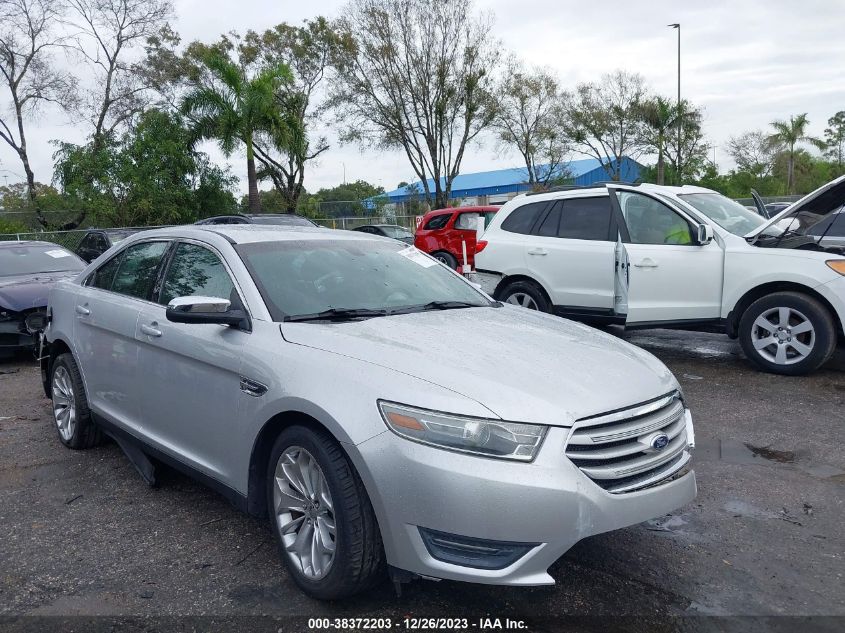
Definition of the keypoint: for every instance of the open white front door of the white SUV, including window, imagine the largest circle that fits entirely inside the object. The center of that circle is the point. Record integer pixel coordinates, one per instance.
(671, 277)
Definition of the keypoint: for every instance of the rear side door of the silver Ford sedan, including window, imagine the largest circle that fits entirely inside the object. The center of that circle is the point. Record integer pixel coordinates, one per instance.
(107, 311)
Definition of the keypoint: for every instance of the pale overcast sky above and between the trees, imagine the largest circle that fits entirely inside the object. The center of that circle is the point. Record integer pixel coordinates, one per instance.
(746, 62)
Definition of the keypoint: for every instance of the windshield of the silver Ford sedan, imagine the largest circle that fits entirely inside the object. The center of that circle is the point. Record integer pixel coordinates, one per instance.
(307, 277)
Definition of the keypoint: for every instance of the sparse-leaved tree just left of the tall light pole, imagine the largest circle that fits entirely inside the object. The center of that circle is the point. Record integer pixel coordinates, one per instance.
(604, 119)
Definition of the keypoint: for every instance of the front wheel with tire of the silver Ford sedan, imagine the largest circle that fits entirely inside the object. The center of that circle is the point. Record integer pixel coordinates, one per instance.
(322, 518)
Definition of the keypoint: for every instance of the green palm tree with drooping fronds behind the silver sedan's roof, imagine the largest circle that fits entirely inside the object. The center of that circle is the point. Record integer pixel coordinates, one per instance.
(232, 108)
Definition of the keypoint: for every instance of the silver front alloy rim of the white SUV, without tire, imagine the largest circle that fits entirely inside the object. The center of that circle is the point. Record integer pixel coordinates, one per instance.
(783, 336)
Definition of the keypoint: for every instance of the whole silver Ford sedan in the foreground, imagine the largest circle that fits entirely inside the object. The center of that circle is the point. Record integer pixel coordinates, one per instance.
(383, 412)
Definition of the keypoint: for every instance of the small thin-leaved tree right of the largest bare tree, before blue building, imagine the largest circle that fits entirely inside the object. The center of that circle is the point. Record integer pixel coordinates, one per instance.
(529, 117)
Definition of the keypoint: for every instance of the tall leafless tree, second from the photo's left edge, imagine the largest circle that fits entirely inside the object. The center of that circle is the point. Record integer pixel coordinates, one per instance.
(109, 30)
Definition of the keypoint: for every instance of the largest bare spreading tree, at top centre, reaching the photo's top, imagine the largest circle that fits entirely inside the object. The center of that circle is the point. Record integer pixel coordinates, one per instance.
(419, 80)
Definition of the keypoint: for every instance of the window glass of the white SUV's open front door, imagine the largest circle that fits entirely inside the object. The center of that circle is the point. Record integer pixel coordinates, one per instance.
(652, 222)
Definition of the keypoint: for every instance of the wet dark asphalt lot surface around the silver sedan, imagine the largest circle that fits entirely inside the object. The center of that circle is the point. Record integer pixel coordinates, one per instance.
(81, 533)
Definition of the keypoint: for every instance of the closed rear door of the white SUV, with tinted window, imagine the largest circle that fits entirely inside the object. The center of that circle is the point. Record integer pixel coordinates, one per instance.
(572, 253)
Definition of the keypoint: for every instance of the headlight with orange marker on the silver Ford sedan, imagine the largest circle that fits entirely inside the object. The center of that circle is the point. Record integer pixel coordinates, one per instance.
(479, 436)
